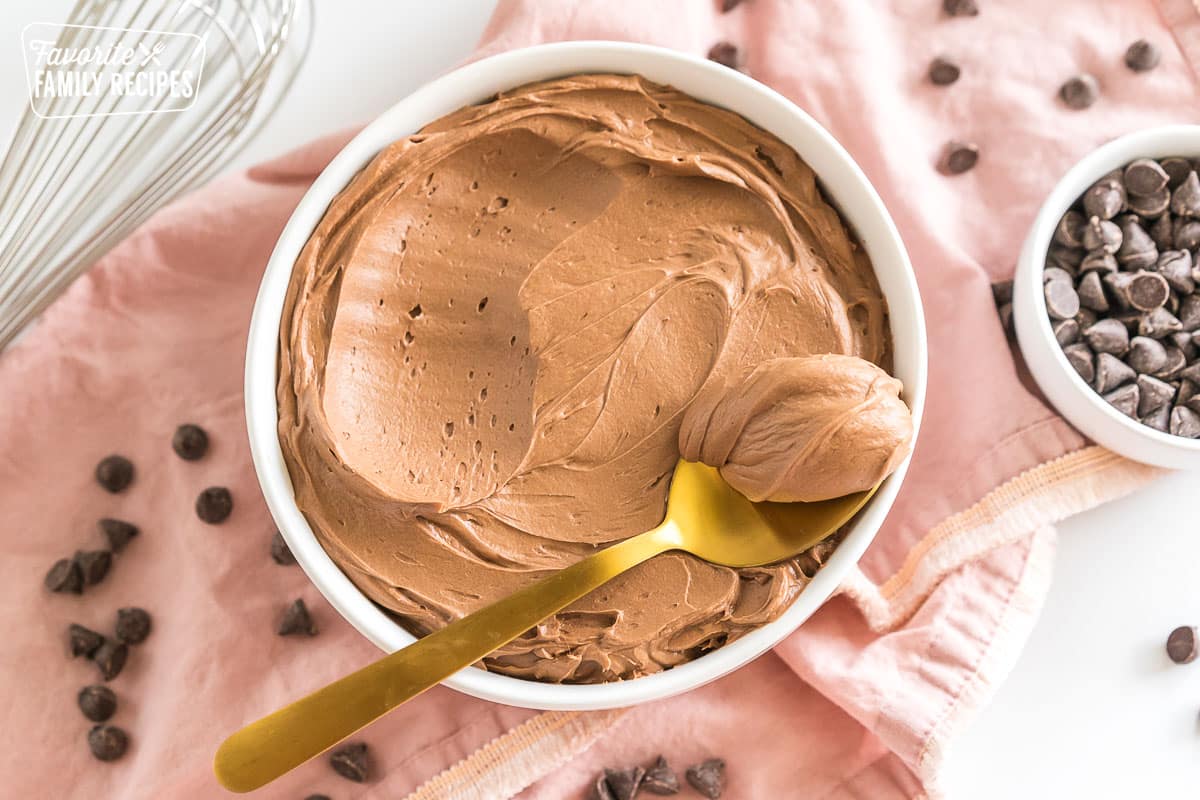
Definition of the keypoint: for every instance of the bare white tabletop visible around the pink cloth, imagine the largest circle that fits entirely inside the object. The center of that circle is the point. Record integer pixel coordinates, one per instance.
(1093, 709)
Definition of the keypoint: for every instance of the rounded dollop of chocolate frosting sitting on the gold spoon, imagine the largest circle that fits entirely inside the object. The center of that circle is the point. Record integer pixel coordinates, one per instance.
(801, 429)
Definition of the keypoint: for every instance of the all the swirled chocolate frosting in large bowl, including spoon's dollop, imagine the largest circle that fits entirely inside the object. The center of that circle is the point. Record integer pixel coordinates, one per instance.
(503, 329)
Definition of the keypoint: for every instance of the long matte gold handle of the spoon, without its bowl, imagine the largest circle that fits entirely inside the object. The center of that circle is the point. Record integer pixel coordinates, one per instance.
(281, 742)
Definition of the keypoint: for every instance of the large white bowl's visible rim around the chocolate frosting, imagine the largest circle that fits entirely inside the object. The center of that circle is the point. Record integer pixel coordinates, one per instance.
(844, 184)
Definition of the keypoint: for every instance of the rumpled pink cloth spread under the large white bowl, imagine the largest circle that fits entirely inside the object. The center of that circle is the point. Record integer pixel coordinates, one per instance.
(861, 702)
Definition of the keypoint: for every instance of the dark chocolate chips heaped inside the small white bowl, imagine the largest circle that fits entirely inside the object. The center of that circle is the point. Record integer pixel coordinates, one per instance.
(1120, 285)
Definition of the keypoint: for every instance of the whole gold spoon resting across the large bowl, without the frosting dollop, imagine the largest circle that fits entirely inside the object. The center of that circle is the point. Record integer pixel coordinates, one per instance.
(706, 518)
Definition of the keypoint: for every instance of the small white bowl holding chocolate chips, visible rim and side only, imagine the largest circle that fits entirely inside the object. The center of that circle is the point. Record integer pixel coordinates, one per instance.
(1059, 381)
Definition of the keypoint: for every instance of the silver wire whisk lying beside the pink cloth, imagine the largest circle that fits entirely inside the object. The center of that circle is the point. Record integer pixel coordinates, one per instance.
(83, 171)
